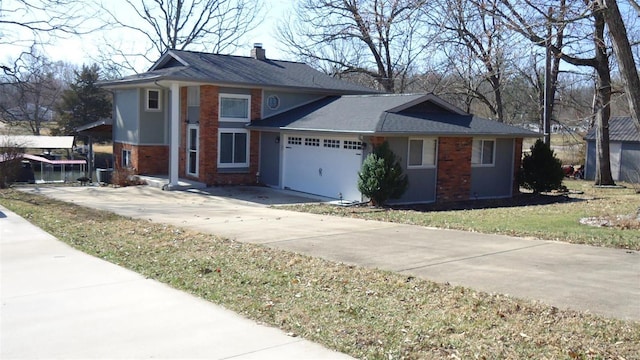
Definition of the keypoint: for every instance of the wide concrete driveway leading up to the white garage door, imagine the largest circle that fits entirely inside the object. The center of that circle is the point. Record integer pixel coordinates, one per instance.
(599, 280)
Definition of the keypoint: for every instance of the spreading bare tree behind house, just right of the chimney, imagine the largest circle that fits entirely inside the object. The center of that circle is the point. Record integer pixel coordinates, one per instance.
(378, 38)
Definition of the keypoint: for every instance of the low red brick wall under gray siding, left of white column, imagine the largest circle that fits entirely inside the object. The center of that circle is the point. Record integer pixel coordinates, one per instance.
(145, 159)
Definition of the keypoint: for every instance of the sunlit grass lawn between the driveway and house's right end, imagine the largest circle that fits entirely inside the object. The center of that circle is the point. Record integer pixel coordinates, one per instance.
(549, 217)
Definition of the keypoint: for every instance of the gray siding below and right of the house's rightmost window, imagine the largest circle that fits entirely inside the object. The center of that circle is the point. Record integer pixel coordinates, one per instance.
(494, 181)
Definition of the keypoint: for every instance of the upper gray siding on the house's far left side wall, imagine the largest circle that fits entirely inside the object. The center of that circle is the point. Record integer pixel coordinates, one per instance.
(126, 114)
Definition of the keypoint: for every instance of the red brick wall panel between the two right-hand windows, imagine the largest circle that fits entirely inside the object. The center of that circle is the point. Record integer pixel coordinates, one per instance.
(454, 169)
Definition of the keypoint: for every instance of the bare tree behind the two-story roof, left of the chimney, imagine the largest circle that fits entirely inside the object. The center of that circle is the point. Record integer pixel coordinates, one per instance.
(204, 25)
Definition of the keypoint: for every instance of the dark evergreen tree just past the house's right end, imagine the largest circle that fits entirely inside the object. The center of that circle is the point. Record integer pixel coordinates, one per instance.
(541, 170)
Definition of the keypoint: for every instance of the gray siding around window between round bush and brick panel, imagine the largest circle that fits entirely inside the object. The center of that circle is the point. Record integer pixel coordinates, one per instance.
(422, 182)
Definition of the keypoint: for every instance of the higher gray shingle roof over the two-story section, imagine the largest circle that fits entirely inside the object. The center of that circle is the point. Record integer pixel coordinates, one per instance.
(179, 65)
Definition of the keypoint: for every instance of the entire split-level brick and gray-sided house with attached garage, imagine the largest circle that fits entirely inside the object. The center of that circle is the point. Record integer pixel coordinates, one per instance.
(225, 119)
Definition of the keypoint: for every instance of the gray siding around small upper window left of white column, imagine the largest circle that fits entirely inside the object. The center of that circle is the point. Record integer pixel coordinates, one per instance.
(154, 124)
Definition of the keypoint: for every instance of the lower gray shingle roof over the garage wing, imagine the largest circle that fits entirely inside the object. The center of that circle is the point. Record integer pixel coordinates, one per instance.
(387, 115)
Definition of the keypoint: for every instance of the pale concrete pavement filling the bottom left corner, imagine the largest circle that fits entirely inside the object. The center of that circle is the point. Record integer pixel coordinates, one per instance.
(58, 302)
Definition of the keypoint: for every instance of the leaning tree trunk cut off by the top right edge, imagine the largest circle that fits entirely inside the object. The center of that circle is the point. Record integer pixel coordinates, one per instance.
(622, 49)
